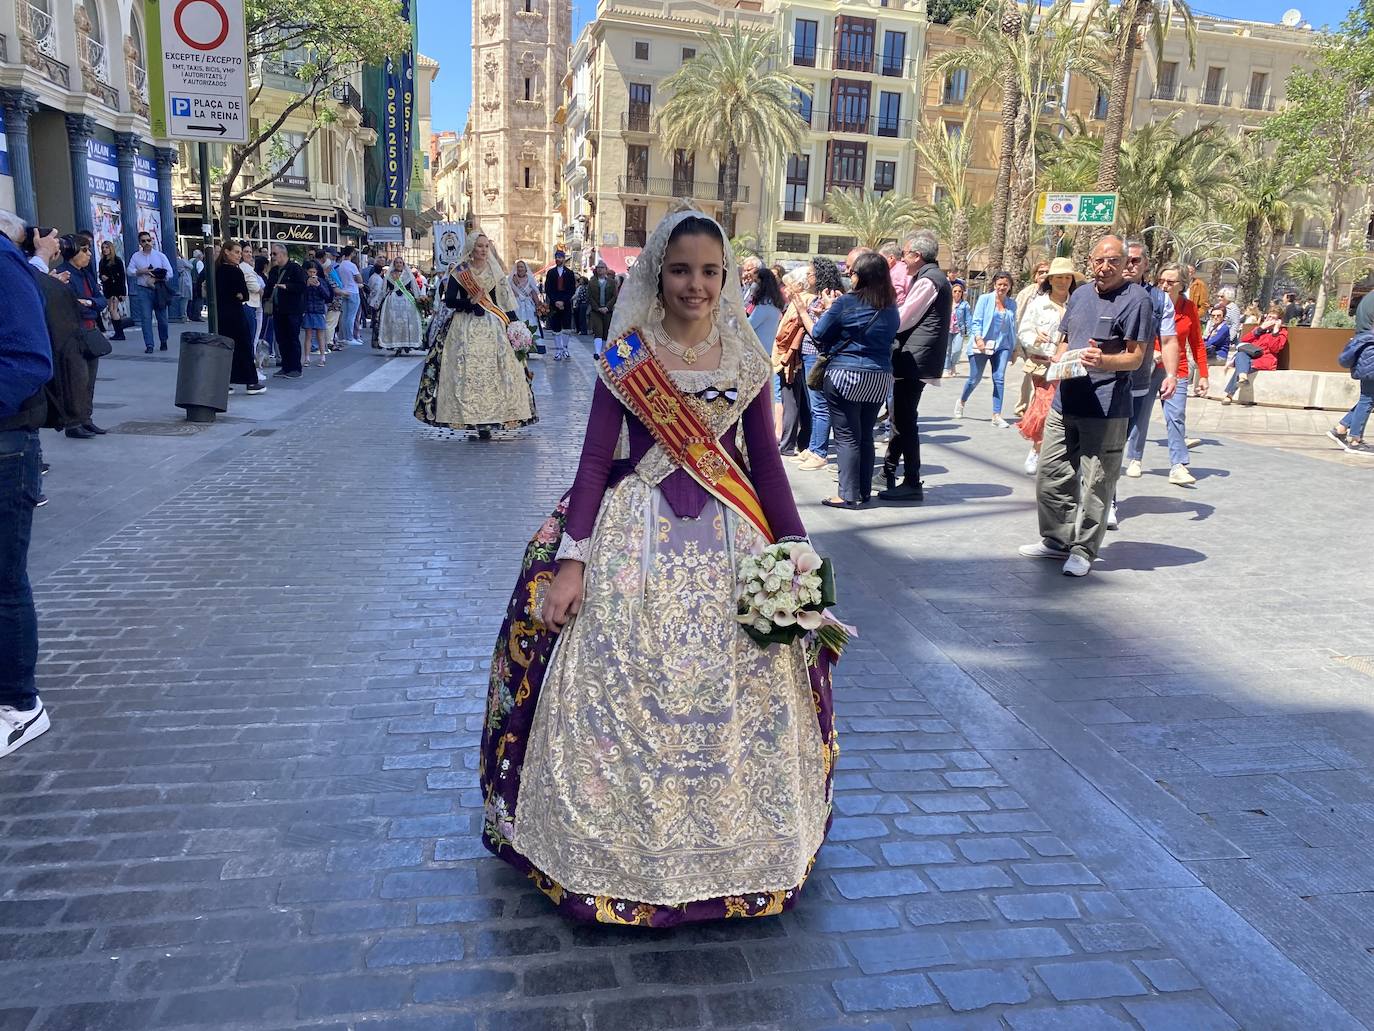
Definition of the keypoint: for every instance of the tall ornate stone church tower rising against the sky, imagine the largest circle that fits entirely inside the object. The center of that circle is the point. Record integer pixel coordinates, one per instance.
(520, 58)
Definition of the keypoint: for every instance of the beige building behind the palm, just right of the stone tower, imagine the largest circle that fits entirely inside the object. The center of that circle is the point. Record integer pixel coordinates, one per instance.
(619, 179)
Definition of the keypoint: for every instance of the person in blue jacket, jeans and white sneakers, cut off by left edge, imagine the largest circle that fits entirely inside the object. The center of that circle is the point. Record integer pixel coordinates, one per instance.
(25, 366)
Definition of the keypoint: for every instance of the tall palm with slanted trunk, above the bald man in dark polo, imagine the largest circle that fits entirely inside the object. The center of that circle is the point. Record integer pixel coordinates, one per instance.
(1129, 23)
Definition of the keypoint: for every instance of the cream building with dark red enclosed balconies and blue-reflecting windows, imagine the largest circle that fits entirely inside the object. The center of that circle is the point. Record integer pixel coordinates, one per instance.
(862, 64)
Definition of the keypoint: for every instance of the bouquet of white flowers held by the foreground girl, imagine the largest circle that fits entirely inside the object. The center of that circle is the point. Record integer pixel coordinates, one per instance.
(787, 593)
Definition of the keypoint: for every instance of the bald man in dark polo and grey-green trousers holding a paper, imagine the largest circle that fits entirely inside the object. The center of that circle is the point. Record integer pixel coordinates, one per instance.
(1085, 435)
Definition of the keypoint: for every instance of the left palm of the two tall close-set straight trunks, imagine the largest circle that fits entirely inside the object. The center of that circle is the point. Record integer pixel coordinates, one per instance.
(990, 58)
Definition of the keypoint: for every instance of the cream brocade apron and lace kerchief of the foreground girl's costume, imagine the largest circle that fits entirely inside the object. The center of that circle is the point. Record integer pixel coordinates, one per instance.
(673, 760)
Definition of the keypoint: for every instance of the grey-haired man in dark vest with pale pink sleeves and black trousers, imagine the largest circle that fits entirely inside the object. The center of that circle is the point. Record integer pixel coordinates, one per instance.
(917, 355)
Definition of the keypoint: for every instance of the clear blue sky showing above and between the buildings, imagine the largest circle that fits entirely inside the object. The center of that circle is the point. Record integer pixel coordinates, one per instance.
(449, 39)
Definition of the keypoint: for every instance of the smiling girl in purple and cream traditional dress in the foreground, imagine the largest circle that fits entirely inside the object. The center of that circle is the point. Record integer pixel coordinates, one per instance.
(644, 761)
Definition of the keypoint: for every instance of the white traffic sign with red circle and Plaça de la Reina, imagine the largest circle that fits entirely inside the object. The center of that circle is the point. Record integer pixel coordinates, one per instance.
(199, 75)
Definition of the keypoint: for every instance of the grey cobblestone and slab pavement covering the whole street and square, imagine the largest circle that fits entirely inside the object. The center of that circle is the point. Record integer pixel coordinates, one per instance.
(1140, 801)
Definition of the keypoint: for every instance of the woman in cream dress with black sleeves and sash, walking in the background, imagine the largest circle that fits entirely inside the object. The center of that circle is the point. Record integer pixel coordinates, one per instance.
(473, 379)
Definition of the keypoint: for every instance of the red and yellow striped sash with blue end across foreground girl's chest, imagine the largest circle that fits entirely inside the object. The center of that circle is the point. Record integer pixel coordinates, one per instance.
(644, 386)
